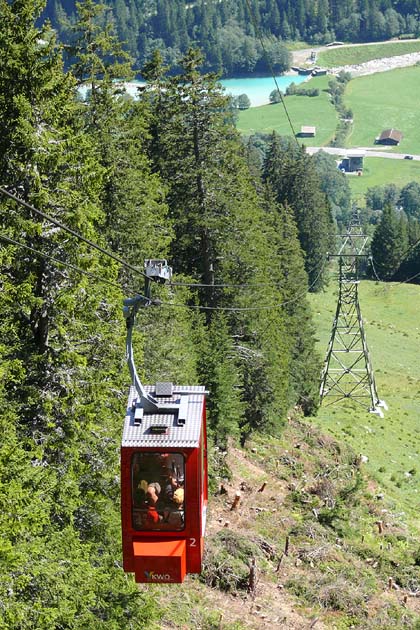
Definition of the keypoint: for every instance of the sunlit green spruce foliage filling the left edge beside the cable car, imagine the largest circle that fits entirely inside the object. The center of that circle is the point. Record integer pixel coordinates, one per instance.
(60, 354)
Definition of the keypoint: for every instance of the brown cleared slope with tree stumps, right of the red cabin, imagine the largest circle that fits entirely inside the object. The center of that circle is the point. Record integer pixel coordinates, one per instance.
(311, 543)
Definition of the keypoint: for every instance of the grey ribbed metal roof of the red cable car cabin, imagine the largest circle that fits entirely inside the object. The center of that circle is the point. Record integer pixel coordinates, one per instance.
(180, 427)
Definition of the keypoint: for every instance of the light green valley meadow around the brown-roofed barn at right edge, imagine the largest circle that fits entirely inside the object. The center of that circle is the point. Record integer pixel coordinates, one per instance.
(384, 100)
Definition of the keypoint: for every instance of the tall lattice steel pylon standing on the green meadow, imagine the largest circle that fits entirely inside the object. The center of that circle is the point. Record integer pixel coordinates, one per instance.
(347, 372)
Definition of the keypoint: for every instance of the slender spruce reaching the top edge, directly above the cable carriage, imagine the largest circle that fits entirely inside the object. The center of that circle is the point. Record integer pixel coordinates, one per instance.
(132, 197)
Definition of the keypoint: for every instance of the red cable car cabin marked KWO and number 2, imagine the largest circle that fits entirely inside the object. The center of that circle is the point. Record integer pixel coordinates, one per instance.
(164, 483)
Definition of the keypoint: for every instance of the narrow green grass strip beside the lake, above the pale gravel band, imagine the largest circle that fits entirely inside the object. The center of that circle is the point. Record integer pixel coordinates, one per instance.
(351, 55)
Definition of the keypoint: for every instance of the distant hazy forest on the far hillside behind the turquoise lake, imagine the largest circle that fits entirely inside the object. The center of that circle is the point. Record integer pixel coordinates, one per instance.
(242, 36)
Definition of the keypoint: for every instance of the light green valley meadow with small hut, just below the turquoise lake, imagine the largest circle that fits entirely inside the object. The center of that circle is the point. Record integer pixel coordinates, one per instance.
(303, 110)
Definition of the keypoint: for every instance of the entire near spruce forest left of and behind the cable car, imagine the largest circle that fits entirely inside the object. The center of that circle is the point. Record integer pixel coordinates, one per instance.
(90, 188)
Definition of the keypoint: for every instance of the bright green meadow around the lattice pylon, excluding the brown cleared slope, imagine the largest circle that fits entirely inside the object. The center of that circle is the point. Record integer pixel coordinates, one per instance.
(391, 443)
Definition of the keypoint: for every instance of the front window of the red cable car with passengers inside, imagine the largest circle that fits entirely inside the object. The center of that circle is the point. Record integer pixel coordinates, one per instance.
(158, 491)
